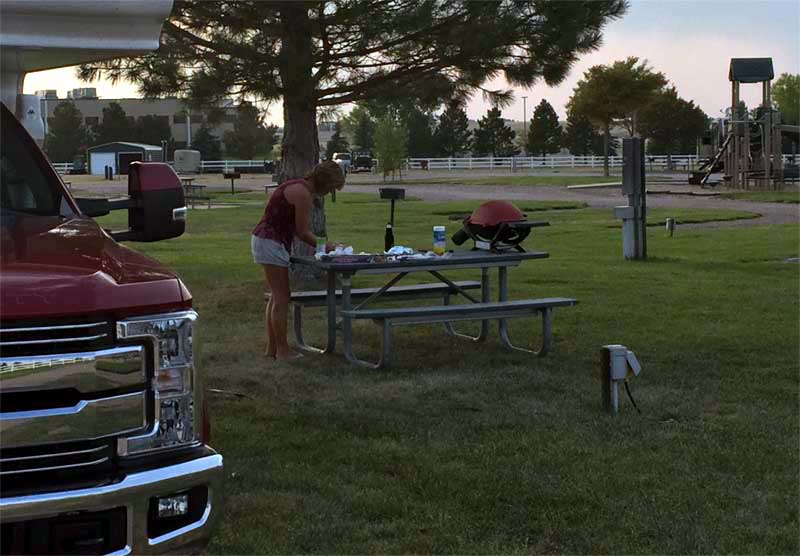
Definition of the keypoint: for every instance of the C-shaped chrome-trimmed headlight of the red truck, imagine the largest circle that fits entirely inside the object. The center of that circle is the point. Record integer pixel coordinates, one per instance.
(173, 385)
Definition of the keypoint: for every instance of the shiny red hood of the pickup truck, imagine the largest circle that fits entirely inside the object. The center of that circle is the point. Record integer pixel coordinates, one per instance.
(52, 266)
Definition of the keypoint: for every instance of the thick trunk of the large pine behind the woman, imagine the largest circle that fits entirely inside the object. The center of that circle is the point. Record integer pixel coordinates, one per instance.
(300, 143)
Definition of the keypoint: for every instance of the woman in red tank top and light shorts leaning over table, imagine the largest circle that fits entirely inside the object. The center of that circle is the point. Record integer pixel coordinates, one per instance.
(288, 214)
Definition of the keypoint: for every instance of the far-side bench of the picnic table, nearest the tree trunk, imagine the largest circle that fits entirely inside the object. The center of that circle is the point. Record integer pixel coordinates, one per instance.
(318, 298)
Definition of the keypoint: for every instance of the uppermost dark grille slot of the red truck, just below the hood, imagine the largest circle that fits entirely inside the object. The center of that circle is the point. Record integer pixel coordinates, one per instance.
(37, 339)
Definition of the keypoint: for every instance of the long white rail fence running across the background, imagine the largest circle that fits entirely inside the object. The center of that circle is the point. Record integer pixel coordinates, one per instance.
(511, 164)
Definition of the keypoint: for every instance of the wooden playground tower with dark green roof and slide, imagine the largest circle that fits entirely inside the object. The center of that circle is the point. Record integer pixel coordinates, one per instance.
(747, 149)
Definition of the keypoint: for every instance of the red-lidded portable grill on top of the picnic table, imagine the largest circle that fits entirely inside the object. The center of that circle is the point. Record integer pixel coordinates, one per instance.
(496, 226)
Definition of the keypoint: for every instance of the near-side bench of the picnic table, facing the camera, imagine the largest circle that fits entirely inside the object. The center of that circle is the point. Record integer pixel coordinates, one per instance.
(446, 313)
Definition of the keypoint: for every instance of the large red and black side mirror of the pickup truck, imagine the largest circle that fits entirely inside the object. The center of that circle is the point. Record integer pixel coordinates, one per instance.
(157, 210)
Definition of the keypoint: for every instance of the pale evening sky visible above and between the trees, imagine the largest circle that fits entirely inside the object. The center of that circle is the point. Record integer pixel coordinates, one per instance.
(691, 42)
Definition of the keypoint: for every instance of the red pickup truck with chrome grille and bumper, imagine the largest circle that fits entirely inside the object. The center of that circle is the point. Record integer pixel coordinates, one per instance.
(102, 424)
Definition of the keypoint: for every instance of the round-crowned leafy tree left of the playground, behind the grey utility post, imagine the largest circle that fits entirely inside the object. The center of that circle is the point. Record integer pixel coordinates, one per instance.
(611, 94)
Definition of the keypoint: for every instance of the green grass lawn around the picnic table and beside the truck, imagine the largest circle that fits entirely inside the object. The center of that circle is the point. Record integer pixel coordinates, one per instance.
(465, 448)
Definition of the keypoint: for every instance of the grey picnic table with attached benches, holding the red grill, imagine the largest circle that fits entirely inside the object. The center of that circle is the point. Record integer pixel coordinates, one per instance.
(482, 309)
